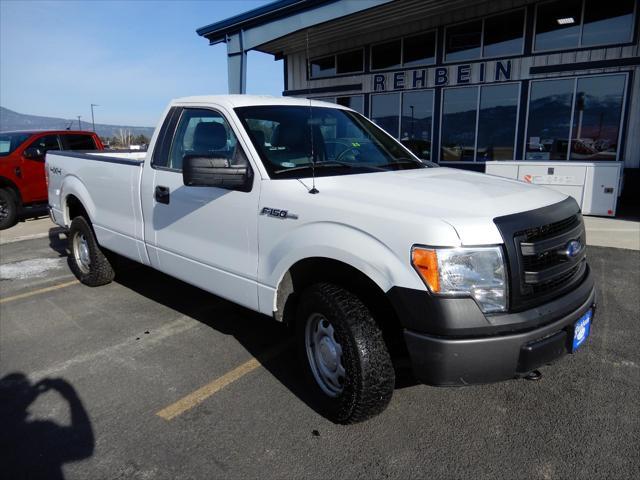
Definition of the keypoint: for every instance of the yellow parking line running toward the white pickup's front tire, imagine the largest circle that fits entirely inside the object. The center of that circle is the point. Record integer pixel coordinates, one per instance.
(201, 394)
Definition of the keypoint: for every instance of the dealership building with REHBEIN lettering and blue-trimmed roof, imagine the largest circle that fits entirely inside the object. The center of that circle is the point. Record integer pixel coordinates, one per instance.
(463, 82)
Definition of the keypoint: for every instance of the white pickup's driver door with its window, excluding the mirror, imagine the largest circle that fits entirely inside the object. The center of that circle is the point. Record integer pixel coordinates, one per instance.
(206, 236)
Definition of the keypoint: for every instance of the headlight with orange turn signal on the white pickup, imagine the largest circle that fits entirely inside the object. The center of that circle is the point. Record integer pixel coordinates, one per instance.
(476, 272)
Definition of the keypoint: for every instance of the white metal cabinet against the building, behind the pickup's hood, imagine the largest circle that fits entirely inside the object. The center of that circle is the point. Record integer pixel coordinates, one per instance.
(594, 185)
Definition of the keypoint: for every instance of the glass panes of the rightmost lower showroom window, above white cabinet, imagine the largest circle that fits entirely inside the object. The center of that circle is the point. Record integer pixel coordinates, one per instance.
(575, 118)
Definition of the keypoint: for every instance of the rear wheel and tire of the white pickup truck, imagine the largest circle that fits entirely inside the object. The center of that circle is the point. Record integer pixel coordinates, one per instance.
(88, 263)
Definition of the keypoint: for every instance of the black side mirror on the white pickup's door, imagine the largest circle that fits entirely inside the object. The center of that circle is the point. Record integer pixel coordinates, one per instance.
(198, 171)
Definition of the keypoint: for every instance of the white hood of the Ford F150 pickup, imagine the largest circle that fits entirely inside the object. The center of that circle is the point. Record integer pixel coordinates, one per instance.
(468, 201)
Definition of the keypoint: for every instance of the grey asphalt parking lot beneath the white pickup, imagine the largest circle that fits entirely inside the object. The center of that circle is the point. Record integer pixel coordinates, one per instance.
(151, 378)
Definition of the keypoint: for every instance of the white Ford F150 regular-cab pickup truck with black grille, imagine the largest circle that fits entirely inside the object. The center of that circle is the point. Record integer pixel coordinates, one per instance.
(309, 213)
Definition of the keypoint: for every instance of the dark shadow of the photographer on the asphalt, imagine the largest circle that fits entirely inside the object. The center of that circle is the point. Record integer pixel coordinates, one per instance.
(37, 448)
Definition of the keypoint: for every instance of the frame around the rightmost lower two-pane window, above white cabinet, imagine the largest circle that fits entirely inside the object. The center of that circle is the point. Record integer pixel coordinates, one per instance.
(575, 78)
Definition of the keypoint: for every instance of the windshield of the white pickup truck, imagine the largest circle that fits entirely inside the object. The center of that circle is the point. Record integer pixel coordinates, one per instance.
(290, 138)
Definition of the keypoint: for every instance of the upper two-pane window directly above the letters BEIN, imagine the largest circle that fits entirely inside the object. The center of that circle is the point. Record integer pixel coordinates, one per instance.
(495, 36)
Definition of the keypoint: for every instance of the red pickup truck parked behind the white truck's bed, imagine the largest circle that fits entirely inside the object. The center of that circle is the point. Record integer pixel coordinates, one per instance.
(22, 175)
